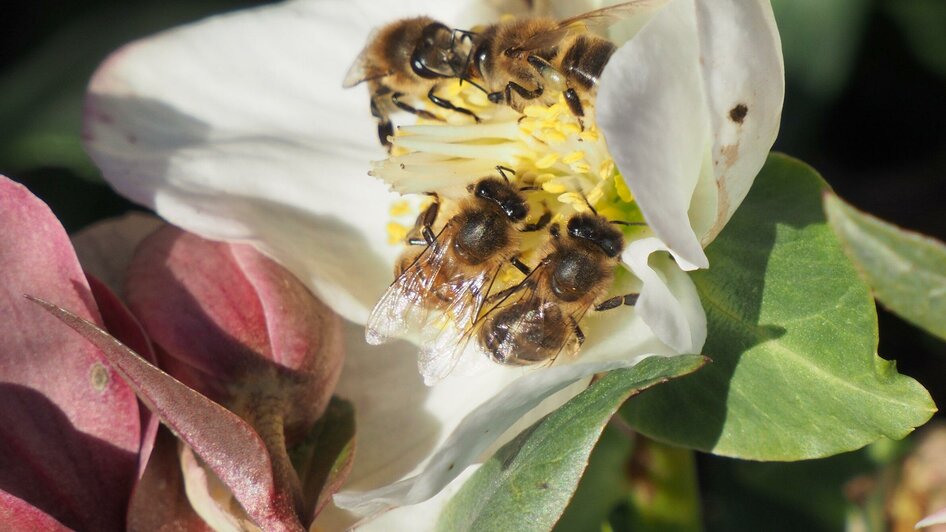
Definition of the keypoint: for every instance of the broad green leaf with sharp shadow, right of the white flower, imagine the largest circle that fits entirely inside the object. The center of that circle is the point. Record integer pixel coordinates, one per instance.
(792, 332)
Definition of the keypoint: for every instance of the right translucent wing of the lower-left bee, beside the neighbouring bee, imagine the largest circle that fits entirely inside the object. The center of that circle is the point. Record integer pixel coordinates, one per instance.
(445, 340)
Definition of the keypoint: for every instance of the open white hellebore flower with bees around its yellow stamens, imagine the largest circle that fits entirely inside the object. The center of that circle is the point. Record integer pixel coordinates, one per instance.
(236, 128)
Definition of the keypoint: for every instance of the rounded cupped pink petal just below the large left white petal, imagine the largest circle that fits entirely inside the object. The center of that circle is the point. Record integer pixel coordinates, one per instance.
(239, 321)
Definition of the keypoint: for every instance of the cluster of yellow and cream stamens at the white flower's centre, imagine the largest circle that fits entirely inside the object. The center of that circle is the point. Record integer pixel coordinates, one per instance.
(560, 163)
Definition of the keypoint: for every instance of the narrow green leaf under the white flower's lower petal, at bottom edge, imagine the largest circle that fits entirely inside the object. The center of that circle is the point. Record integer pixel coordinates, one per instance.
(528, 482)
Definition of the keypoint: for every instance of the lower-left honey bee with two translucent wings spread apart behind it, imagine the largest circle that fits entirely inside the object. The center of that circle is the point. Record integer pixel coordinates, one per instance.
(453, 273)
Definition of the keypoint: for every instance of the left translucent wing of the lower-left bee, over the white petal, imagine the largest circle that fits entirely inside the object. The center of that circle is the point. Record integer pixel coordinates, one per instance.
(403, 308)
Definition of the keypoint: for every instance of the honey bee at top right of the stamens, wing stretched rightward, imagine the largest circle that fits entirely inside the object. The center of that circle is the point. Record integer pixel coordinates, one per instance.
(531, 58)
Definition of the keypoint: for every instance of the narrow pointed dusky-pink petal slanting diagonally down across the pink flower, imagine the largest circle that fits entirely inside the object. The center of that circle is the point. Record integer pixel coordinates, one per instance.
(226, 444)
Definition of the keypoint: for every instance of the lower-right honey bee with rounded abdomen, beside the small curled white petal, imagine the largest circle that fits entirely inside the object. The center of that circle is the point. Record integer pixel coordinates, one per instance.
(537, 320)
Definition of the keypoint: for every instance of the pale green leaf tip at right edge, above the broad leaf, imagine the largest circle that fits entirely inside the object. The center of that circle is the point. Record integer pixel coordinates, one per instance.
(906, 270)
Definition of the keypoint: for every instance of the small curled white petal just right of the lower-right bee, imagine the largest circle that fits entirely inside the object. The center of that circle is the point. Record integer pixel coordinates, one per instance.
(669, 303)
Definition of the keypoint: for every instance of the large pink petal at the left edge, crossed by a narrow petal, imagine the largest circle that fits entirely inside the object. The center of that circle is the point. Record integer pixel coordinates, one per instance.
(69, 429)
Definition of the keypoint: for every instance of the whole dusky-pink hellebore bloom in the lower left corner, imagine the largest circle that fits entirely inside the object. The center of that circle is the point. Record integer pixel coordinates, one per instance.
(79, 451)
